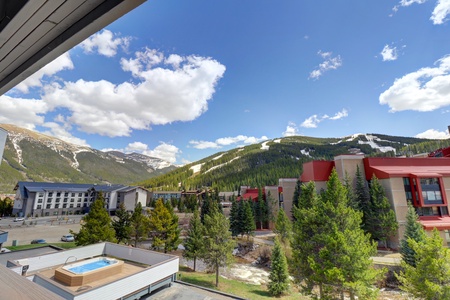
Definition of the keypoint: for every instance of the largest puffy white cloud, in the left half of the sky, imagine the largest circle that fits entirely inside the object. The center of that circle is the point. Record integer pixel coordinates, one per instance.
(163, 95)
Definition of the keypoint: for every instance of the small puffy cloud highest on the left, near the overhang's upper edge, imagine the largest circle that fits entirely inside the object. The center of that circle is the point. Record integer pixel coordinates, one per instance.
(105, 43)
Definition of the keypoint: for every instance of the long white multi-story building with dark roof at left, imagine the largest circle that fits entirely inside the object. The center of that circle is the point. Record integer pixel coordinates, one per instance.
(56, 199)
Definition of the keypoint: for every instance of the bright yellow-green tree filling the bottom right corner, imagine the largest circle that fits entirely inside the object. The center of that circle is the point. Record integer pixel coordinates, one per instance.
(430, 278)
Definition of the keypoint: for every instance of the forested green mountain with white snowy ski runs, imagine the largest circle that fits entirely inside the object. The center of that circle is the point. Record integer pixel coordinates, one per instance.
(265, 163)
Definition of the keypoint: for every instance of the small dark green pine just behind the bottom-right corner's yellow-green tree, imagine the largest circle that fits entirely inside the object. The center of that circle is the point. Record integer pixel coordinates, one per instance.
(413, 231)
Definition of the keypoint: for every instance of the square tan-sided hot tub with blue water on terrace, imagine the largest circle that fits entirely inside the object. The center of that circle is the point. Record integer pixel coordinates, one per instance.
(81, 273)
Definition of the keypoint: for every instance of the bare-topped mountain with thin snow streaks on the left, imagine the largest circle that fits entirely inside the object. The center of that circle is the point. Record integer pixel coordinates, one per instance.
(32, 156)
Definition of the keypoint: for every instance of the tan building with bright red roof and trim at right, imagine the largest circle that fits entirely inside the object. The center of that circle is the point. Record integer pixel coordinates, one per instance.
(424, 182)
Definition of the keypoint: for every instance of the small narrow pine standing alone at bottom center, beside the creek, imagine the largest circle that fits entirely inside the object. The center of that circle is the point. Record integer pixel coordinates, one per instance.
(279, 274)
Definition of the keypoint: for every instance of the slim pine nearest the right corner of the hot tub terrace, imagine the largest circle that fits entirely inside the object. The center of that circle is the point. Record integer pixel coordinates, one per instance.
(193, 244)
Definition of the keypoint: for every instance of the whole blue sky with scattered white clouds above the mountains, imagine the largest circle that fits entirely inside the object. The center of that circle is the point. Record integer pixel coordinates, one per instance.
(182, 80)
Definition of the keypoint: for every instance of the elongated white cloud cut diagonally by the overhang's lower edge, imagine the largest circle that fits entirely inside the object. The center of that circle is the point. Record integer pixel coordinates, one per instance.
(63, 62)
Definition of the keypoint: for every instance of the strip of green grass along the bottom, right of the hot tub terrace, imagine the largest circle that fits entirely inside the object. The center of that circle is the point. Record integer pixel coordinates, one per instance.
(238, 288)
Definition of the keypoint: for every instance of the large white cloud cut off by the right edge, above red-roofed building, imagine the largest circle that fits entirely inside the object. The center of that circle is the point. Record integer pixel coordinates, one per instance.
(426, 89)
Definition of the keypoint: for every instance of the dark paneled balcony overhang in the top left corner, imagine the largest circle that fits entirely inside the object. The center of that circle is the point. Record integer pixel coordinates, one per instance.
(35, 32)
